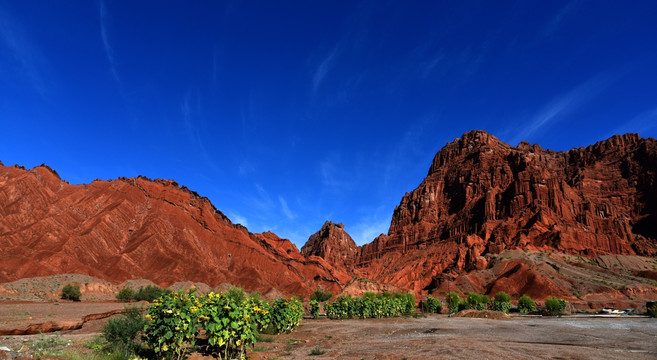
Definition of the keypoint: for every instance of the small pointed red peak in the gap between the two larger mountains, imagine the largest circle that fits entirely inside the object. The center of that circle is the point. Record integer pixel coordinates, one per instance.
(333, 244)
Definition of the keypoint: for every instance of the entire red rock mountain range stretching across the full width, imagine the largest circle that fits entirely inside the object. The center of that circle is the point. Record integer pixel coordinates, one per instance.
(480, 221)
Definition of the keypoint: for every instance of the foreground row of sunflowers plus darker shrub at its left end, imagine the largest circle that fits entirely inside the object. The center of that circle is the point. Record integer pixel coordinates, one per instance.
(231, 321)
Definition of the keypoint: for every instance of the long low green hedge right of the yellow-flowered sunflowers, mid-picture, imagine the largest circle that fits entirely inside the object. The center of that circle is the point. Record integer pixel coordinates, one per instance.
(371, 305)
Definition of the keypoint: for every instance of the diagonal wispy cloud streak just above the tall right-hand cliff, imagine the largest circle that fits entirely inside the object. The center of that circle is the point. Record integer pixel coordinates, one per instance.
(562, 105)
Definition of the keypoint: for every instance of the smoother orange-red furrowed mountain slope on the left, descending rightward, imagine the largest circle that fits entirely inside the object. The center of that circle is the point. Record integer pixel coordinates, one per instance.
(139, 228)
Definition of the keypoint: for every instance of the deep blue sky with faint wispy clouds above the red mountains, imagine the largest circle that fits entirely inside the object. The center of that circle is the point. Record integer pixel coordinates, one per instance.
(286, 114)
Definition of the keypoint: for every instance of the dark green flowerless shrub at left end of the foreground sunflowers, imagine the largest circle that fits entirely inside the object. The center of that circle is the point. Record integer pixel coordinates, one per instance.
(122, 333)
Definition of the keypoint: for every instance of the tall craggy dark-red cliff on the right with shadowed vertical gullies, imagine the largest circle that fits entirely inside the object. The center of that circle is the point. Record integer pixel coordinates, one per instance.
(483, 196)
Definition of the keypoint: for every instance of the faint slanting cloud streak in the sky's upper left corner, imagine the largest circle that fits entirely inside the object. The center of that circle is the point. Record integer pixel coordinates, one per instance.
(29, 58)
